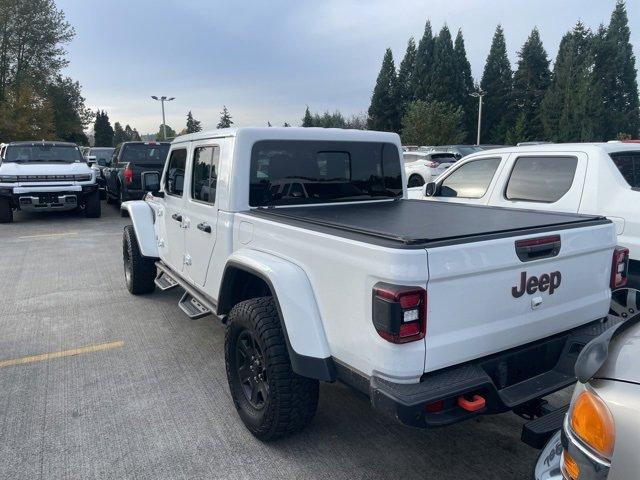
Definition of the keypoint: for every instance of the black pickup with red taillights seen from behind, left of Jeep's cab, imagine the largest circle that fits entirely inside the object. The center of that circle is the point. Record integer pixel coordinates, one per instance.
(129, 160)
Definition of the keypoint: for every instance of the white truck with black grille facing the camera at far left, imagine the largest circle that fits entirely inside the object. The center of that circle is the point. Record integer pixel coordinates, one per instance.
(45, 176)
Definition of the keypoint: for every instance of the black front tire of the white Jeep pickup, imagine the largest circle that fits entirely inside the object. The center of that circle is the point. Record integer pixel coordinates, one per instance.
(139, 271)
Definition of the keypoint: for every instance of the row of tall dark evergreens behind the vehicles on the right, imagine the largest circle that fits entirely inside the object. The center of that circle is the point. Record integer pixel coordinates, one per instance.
(591, 94)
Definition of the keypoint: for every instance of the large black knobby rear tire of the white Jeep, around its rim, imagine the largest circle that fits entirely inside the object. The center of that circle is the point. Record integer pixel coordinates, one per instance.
(292, 400)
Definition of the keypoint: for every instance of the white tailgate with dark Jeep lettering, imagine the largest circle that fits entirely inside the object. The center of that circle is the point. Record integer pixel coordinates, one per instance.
(477, 305)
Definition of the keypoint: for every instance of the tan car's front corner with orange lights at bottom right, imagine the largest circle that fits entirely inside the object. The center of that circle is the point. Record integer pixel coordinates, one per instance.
(599, 436)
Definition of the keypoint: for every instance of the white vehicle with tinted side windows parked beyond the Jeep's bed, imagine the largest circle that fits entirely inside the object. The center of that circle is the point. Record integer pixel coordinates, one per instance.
(594, 179)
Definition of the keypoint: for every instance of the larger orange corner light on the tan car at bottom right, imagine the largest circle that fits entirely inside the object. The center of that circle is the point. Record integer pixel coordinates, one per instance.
(592, 422)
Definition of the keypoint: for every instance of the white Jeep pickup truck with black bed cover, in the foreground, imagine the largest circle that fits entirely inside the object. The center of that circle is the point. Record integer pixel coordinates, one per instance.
(438, 312)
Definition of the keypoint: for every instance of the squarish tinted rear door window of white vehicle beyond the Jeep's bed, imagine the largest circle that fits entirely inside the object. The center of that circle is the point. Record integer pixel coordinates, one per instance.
(541, 179)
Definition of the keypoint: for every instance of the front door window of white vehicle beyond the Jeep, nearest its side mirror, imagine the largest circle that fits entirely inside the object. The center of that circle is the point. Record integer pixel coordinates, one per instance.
(471, 180)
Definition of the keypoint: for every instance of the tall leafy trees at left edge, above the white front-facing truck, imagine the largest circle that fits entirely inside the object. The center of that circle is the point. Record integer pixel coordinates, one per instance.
(36, 100)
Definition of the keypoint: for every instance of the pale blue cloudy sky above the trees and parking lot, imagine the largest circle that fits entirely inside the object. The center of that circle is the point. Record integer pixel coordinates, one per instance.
(268, 60)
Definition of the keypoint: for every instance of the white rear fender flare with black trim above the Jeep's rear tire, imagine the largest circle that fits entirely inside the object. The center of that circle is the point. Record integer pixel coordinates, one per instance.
(301, 323)
